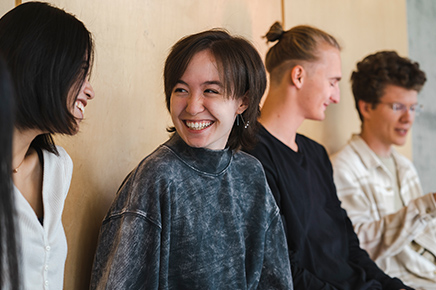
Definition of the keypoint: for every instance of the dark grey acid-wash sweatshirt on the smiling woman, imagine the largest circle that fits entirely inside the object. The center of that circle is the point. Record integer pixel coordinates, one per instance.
(193, 218)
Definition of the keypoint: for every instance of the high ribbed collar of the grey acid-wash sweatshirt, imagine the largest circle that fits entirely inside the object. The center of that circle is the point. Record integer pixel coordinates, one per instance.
(200, 159)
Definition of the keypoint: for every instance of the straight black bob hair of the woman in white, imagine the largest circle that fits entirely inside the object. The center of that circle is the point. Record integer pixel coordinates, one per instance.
(49, 53)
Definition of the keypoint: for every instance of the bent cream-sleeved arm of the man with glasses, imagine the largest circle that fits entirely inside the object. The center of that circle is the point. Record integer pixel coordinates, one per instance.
(359, 198)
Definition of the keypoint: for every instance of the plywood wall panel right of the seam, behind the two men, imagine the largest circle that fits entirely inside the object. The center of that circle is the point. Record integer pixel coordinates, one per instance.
(362, 27)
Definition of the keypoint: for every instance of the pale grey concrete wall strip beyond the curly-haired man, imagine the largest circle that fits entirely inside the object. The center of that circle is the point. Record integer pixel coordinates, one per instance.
(422, 47)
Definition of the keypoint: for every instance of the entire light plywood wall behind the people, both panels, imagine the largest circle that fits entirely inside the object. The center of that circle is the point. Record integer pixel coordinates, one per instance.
(127, 118)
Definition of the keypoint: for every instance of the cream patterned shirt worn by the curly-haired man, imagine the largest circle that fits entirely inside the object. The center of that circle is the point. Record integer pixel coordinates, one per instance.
(402, 243)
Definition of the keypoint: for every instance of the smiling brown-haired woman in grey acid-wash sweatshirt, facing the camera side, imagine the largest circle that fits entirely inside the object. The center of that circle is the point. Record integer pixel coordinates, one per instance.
(197, 213)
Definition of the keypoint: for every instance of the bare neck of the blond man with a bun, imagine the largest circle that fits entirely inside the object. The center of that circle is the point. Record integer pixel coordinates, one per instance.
(280, 117)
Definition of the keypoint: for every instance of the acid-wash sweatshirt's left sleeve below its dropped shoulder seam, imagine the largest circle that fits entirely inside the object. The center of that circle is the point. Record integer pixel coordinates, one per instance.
(127, 255)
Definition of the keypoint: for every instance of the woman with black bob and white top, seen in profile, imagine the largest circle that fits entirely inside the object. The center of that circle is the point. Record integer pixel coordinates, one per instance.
(49, 54)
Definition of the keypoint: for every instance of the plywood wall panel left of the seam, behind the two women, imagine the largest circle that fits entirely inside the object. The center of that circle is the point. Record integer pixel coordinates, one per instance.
(127, 119)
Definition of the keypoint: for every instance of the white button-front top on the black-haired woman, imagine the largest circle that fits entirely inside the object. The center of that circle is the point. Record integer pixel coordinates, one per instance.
(44, 247)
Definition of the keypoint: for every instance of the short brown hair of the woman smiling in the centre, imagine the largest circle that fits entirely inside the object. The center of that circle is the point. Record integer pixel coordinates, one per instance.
(241, 71)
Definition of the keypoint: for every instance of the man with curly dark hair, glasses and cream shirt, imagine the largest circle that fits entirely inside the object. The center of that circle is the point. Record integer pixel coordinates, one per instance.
(379, 187)
